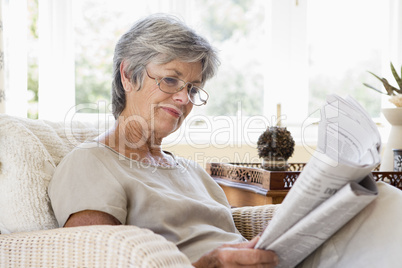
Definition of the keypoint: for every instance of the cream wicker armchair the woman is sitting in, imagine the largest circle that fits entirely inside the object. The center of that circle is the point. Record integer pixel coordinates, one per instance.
(30, 235)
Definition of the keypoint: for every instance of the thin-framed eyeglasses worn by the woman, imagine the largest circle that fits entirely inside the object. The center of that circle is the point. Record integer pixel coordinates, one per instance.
(172, 85)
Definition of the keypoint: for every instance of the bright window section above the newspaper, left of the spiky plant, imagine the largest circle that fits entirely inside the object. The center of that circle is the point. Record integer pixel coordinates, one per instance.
(342, 47)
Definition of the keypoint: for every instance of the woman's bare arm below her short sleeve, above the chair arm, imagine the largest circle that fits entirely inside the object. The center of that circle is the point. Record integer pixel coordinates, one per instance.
(91, 217)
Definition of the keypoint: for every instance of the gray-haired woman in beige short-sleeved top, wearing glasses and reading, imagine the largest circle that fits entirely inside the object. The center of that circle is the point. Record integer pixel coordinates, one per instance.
(124, 177)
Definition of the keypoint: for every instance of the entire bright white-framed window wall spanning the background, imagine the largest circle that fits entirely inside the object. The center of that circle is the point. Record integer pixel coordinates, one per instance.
(288, 52)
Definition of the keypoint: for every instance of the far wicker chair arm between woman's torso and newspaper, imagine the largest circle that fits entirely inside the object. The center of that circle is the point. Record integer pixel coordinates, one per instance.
(250, 221)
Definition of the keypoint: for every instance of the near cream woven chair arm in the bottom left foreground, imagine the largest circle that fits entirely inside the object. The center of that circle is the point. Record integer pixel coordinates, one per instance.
(90, 246)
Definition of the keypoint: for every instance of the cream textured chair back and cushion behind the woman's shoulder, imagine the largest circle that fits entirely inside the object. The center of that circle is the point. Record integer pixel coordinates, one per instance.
(29, 152)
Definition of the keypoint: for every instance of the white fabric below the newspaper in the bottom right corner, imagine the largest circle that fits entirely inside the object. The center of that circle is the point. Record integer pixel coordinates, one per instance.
(371, 239)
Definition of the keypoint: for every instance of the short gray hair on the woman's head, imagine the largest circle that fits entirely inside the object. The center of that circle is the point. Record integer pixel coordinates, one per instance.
(159, 38)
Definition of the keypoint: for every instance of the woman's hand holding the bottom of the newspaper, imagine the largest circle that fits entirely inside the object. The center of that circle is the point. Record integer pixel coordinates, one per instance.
(238, 255)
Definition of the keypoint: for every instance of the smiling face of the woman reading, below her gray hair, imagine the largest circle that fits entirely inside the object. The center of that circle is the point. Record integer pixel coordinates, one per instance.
(160, 112)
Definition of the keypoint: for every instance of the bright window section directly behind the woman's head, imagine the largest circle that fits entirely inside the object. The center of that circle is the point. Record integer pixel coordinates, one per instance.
(234, 27)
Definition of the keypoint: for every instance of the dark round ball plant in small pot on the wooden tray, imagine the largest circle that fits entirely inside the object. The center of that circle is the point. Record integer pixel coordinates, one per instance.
(275, 146)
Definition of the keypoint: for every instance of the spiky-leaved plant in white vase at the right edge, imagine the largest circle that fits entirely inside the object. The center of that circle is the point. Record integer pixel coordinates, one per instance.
(393, 116)
